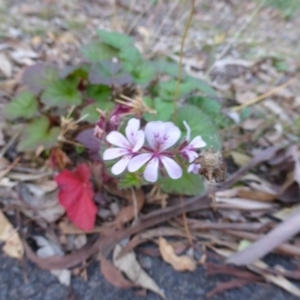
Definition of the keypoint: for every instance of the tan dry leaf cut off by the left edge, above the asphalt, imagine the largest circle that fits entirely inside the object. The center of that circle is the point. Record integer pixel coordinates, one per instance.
(12, 243)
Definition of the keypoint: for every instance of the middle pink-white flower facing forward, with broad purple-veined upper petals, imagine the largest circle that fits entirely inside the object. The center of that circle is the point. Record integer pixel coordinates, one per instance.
(160, 137)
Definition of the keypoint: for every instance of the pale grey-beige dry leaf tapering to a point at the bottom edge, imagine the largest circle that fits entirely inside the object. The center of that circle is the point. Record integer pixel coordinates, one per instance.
(129, 265)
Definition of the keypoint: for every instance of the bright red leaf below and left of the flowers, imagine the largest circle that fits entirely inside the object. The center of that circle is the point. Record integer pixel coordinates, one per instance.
(76, 196)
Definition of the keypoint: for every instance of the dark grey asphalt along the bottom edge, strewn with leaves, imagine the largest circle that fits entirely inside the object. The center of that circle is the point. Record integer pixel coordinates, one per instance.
(28, 282)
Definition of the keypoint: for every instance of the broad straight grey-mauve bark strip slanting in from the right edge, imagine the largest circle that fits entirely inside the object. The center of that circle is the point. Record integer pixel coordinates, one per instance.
(269, 242)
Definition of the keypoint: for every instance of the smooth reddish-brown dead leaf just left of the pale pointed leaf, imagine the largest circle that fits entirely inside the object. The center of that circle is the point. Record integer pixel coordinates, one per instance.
(113, 275)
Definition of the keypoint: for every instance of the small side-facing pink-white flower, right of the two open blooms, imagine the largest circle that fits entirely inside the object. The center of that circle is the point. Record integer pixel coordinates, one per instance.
(188, 150)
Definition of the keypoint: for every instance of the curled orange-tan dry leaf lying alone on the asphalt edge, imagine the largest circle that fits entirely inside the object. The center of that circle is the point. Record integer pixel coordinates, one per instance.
(179, 263)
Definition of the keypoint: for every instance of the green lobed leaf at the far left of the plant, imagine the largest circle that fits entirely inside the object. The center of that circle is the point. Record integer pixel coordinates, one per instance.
(38, 133)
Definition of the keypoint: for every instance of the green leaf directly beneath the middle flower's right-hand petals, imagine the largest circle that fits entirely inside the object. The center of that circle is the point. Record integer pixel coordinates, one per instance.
(189, 184)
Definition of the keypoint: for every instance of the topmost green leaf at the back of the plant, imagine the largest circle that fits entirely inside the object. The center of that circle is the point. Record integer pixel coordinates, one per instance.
(98, 51)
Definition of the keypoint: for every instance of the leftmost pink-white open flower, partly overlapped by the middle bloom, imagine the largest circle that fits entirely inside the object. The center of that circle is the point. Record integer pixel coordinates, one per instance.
(127, 146)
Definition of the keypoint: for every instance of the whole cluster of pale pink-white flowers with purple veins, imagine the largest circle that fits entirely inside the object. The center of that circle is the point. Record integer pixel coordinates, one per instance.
(154, 155)
